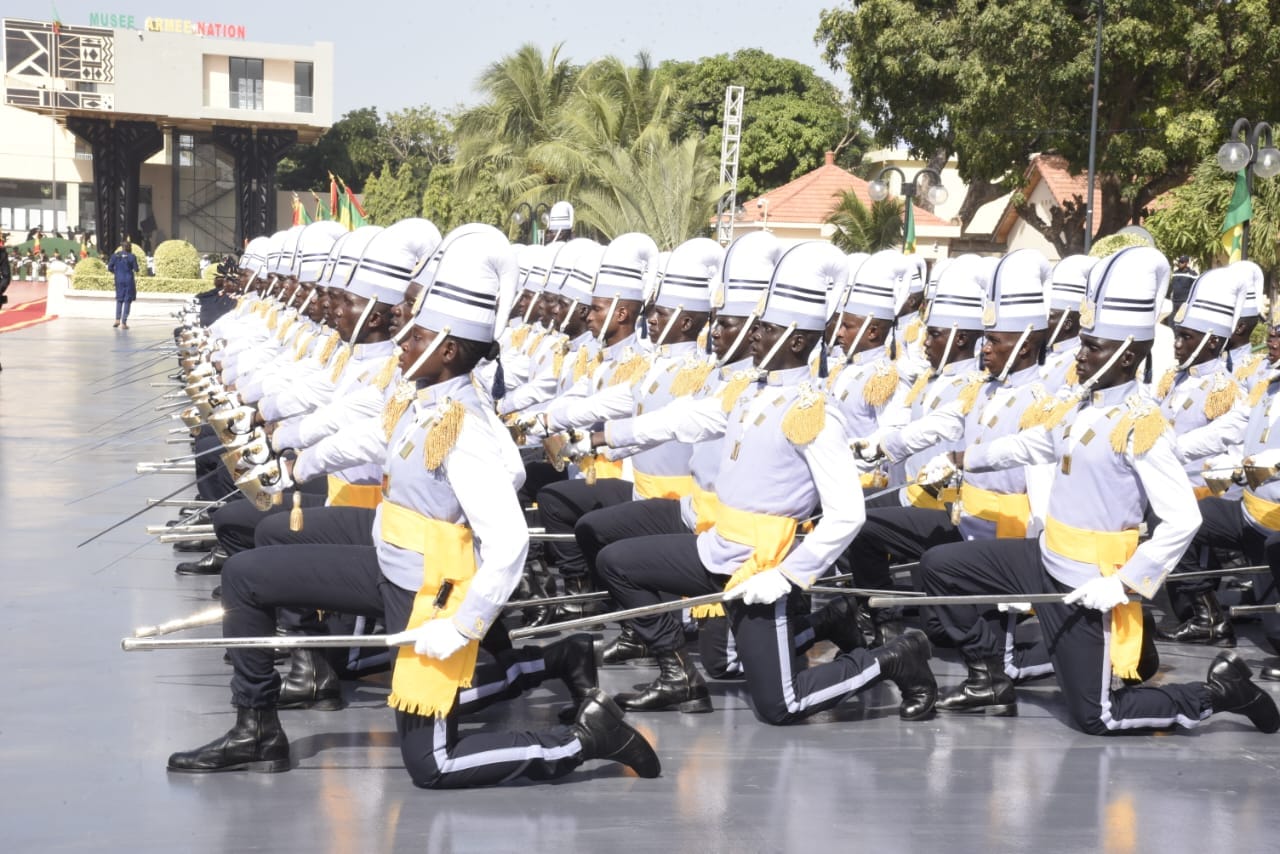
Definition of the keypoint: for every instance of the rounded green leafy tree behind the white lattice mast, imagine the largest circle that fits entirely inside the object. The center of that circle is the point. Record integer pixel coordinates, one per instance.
(790, 116)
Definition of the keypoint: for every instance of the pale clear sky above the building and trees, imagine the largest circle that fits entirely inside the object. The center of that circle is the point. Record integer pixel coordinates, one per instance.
(410, 53)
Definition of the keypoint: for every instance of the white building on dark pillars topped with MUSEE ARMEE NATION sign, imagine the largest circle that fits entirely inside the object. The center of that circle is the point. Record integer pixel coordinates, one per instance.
(170, 131)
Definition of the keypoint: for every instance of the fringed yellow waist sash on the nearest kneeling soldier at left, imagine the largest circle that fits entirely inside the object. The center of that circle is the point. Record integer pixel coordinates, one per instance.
(423, 686)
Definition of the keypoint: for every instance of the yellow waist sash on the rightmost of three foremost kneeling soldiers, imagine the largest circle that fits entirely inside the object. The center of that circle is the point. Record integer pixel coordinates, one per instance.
(1109, 551)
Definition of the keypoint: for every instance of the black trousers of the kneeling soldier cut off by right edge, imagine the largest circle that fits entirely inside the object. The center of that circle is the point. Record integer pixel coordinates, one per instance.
(1224, 527)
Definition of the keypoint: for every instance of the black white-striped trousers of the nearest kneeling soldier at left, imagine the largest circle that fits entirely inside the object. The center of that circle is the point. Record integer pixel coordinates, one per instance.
(348, 578)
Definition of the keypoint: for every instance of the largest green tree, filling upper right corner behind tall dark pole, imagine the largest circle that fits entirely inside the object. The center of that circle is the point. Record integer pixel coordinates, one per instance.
(996, 83)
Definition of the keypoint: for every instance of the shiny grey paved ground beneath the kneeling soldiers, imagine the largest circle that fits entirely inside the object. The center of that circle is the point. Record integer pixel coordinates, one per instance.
(85, 729)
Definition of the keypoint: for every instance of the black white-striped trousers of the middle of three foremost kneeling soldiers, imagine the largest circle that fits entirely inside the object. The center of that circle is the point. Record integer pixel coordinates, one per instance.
(656, 569)
